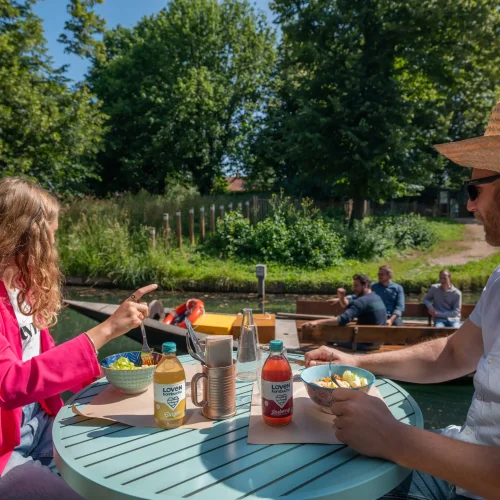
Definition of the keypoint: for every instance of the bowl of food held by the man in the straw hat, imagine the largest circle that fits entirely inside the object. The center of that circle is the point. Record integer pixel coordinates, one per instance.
(321, 389)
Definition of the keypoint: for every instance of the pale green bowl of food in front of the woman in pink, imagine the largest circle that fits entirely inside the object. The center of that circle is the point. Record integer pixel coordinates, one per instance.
(125, 371)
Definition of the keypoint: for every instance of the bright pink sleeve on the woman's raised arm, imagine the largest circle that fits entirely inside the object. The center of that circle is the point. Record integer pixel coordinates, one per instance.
(59, 369)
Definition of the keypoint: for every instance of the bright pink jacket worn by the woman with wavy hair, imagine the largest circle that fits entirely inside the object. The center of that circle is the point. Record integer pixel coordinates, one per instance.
(42, 378)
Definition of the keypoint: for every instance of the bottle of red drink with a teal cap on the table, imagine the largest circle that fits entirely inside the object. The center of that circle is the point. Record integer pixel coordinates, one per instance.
(277, 387)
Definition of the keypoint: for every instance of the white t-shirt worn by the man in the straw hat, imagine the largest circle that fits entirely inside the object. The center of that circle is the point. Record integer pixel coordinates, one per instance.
(482, 425)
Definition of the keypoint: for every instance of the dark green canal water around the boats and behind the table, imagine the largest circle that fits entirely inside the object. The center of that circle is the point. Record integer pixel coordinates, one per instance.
(441, 404)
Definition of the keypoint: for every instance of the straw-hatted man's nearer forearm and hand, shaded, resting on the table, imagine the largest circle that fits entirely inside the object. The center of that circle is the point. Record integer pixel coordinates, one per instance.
(366, 424)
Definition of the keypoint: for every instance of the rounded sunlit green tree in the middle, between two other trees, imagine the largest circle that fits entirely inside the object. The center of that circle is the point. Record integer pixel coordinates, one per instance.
(183, 90)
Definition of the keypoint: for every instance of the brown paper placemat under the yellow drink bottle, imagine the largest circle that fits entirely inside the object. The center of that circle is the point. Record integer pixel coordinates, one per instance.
(137, 409)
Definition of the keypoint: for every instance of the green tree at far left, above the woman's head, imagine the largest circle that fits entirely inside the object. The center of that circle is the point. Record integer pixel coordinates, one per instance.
(48, 131)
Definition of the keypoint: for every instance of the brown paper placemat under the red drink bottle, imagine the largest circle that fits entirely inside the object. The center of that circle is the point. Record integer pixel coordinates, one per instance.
(309, 424)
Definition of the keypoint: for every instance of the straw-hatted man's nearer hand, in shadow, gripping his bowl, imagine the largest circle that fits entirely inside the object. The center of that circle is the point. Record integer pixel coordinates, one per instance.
(366, 424)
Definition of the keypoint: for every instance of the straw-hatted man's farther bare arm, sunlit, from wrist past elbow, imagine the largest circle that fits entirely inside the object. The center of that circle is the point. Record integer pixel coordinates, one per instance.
(430, 362)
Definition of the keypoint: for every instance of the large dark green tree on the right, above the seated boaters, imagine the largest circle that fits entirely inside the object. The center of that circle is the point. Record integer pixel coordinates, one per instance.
(365, 87)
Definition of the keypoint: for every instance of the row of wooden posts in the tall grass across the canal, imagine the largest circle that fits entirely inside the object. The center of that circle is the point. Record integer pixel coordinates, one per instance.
(167, 232)
